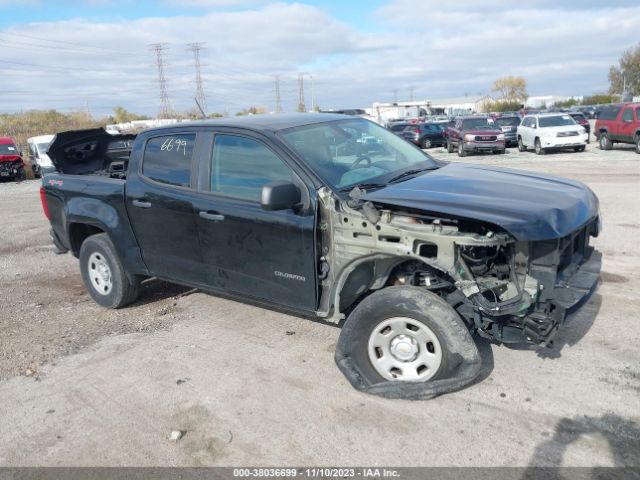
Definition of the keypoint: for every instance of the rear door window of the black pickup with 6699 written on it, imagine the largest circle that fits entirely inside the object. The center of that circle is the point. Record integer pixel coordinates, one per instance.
(167, 159)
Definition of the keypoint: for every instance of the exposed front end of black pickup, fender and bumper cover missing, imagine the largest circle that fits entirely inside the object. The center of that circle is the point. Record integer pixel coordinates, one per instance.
(507, 290)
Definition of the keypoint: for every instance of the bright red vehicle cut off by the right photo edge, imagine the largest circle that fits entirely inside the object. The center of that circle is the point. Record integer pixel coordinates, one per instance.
(618, 124)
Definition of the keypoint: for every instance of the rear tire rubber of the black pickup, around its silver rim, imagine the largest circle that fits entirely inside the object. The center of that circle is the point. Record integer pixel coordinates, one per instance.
(123, 291)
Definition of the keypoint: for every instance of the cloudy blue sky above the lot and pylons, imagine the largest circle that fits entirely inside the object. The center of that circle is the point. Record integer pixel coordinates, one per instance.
(95, 55)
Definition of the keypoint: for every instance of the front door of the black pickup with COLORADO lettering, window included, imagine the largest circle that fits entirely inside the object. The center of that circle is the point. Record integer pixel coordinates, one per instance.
(246, 250)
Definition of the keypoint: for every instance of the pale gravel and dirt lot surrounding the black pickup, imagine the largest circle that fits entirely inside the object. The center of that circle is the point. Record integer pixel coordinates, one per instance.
(83, 386)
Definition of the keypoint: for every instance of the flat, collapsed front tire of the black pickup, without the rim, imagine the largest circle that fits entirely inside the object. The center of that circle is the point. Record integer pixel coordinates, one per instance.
(422, 307)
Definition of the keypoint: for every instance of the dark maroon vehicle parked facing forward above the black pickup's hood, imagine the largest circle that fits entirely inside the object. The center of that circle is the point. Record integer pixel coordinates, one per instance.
(474, 135)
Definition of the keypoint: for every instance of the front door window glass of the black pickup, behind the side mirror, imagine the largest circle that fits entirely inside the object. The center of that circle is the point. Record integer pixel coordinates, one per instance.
(240, 166)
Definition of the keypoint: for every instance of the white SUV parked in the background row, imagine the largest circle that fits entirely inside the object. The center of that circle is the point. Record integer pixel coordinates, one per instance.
(550, 131)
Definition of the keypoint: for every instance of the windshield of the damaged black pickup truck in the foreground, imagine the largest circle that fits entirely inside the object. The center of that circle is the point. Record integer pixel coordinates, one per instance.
(350, 152)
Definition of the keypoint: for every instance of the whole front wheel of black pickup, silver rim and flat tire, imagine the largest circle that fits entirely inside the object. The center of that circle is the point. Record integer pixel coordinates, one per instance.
(406, 337)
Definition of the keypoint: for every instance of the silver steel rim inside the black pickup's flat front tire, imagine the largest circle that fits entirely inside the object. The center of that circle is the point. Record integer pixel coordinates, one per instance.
(404, 349)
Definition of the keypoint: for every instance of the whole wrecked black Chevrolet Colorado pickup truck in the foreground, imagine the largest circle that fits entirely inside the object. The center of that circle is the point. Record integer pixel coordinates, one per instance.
(334, 218)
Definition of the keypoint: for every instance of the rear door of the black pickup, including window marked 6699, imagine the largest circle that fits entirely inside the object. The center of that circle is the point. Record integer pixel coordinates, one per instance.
(160, 196)
